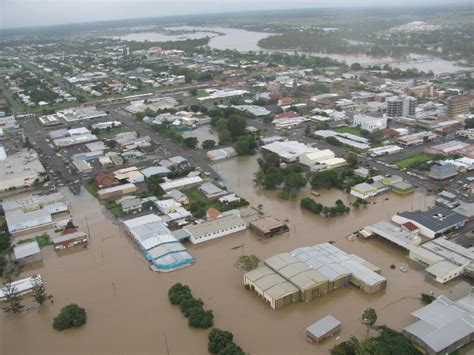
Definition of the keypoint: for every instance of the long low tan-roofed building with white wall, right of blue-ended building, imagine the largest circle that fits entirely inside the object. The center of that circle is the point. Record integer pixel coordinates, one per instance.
(215, 228)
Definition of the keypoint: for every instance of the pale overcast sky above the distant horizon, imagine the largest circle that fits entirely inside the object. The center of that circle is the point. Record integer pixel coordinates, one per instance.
(25, 13)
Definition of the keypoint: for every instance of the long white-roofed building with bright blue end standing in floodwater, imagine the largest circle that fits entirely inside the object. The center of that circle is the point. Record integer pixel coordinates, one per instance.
(164, 252)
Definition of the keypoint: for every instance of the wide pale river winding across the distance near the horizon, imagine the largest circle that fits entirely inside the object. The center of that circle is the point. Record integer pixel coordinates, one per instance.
(243, 40)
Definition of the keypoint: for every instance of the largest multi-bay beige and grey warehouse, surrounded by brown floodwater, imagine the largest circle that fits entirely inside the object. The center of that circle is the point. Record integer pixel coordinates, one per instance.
(310, 272)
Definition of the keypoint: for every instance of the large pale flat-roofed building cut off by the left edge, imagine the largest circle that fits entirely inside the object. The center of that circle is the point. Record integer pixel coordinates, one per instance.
(21, 169)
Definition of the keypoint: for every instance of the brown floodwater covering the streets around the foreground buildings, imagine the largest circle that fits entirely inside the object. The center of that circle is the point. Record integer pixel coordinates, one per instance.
(129, 312)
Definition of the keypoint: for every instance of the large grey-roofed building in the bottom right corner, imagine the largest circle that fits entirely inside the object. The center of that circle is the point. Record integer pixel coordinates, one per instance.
(444, 325)
